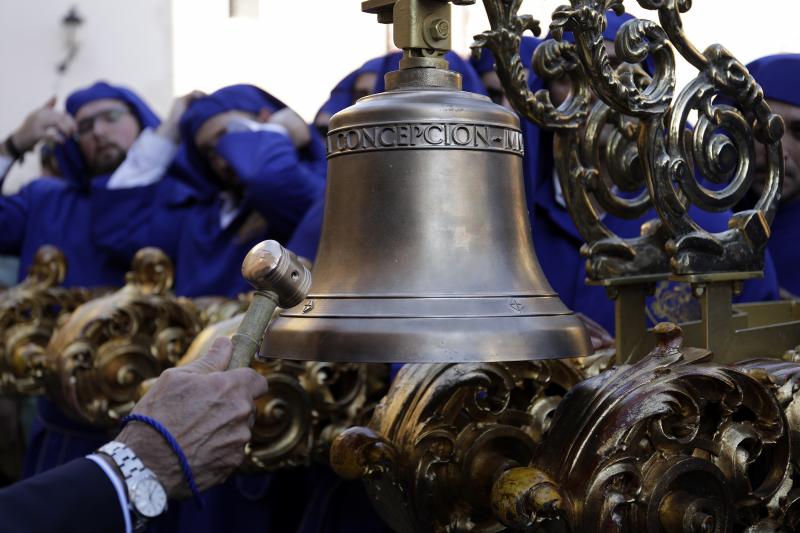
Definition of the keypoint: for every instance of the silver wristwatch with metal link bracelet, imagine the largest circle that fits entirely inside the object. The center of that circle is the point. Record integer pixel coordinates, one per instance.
(146, 495)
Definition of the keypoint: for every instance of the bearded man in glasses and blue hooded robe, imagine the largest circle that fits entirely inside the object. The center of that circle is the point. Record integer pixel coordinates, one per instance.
(56, 211)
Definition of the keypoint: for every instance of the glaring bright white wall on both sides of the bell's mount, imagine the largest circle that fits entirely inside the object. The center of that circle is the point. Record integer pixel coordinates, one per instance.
(299, 49)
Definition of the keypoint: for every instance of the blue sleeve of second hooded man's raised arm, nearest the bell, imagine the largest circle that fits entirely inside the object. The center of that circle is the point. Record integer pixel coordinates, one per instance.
(276, 183)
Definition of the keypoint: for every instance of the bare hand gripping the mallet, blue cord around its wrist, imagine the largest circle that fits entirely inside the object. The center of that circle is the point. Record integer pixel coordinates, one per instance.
(209, 411)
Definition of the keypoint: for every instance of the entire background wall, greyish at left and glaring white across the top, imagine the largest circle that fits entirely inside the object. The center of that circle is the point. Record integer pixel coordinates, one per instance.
(296, 49)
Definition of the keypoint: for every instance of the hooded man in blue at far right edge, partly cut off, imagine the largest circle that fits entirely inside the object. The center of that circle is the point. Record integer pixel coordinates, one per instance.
(779, 77)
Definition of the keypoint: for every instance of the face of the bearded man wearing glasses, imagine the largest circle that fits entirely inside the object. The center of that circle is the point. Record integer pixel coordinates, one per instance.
(106, 130)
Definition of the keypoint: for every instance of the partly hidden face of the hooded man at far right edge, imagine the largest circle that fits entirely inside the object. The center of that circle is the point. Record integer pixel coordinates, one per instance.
(791, 151)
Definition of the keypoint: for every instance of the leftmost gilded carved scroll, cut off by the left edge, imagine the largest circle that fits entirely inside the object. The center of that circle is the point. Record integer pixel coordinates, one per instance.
(29, 312)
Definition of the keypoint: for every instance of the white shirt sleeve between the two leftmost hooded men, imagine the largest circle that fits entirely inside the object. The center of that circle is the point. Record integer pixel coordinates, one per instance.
(146, 162)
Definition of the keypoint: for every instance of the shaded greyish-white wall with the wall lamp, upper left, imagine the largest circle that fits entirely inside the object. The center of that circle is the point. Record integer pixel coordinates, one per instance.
(123, 41)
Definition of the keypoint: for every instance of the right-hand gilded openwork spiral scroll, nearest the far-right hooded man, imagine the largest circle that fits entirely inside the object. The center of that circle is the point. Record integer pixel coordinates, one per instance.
(710, 164)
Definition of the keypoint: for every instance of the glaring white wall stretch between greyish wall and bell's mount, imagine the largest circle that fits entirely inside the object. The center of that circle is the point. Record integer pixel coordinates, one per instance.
(297, 50)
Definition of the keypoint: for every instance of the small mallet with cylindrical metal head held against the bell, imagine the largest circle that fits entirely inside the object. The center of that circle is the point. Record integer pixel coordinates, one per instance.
(280, 280)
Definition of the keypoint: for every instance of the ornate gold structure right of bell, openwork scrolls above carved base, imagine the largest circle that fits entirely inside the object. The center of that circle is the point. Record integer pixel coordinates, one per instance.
(678, 440)
